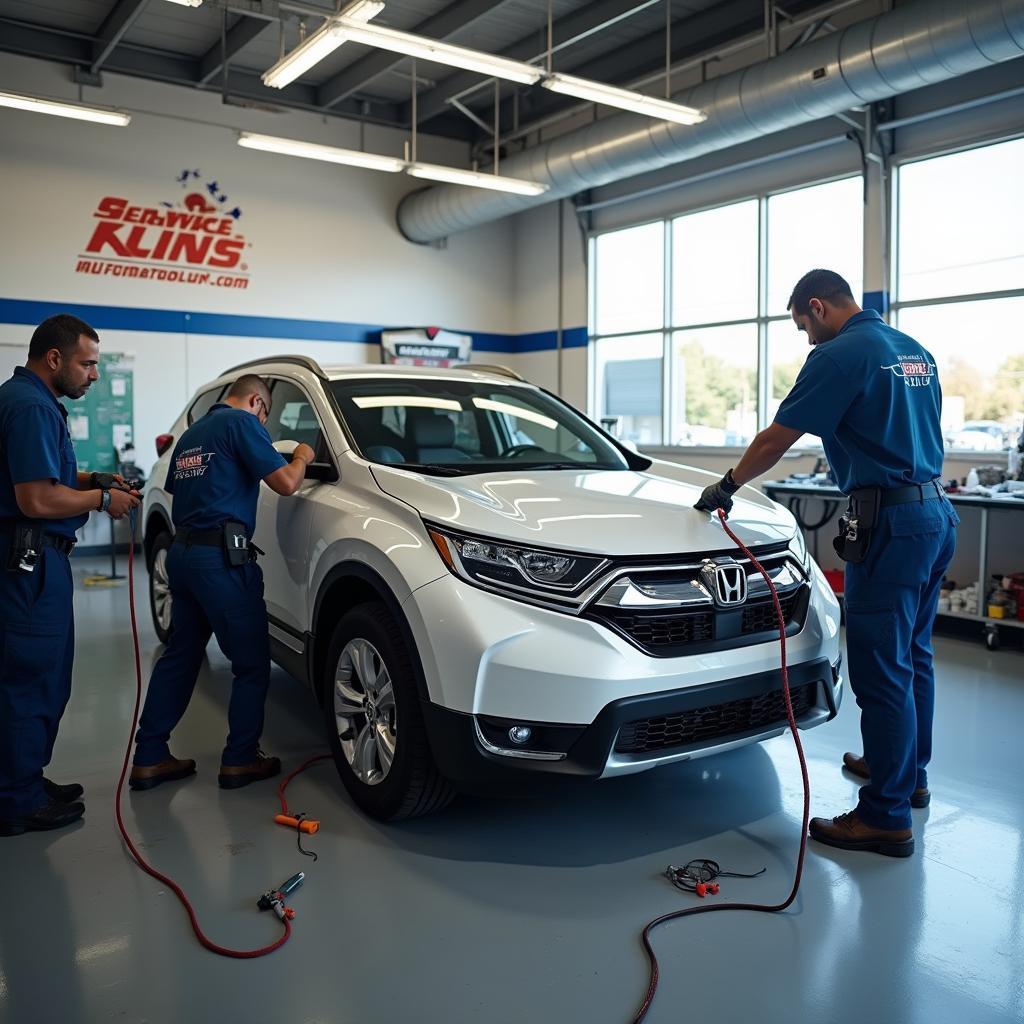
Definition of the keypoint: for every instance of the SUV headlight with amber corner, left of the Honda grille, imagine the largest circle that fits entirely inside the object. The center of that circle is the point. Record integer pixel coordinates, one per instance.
(507, 567)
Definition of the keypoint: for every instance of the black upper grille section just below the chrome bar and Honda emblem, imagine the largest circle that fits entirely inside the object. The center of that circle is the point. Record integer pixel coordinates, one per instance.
(670, 634)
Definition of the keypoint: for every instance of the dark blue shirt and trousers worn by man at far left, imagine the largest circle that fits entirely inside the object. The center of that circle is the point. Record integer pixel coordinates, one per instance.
(37, 622)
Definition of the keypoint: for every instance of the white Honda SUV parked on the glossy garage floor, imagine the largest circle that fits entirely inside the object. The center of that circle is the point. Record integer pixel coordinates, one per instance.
(481, 586)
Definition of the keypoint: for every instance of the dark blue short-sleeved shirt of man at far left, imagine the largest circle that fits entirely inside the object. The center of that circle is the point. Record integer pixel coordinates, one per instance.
(35, 446)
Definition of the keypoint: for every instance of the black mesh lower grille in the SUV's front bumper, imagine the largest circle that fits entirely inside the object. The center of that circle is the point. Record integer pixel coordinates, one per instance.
(714, 722)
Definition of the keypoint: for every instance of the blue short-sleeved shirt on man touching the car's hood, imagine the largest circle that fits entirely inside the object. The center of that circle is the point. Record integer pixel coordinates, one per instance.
(873, 395)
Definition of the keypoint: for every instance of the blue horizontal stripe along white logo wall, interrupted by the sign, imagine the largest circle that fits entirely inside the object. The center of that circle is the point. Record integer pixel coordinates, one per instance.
(227, 325)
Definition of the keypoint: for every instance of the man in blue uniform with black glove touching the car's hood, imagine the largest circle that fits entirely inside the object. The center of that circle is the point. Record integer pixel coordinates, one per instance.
(873, 396)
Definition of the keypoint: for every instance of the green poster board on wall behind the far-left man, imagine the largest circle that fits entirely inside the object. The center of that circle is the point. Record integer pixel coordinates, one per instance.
(102, 423)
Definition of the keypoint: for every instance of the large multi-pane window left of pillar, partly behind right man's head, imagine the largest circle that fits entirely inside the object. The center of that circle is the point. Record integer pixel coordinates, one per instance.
(693, 344)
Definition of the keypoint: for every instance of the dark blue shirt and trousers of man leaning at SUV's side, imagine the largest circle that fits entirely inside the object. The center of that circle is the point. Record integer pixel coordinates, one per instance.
(215, 478)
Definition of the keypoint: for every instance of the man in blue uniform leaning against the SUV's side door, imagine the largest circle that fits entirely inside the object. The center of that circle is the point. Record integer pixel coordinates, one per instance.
(217, 586)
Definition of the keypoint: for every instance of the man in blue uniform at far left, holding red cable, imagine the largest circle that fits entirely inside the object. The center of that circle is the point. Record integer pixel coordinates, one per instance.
(44, 501)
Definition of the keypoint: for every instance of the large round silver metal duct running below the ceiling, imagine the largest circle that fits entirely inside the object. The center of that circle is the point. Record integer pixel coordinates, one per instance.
(913, 47)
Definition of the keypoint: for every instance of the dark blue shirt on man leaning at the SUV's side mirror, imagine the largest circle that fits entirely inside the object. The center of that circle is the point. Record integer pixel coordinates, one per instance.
(217, 468)
